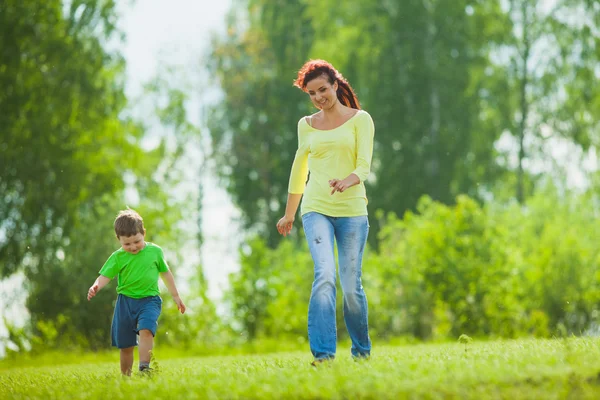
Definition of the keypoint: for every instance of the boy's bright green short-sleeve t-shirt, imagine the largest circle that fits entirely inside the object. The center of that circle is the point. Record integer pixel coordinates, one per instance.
(137, 273)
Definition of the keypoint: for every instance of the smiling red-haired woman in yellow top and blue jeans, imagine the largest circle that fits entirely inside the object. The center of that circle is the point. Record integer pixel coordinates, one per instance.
(335, 145)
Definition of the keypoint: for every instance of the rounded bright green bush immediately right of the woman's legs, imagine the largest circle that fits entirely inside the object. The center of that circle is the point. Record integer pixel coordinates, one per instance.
(448, 267)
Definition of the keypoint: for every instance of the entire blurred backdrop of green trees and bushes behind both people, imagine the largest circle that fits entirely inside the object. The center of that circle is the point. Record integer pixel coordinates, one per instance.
(442, 80)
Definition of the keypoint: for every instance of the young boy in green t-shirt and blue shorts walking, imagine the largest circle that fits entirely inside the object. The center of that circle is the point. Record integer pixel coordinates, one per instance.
(137, 265)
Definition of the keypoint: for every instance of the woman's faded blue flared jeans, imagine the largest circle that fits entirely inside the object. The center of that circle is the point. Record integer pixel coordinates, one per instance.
(351, 236)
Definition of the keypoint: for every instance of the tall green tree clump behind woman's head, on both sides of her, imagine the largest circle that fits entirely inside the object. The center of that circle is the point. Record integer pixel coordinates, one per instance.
(422, 71)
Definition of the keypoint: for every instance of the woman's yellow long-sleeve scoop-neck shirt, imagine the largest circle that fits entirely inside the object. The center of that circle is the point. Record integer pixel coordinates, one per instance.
(333, 154)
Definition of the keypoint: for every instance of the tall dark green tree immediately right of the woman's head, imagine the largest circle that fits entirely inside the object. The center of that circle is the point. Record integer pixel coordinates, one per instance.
(423, 70)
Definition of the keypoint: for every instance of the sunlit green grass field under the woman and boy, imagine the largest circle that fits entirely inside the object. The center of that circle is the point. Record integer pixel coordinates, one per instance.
(521, 369)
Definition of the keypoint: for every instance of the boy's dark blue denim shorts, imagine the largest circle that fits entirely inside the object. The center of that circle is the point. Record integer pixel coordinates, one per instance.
(133, 315)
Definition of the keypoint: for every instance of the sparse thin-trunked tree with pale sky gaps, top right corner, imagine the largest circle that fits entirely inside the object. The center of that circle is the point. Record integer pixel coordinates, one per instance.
(552, 59)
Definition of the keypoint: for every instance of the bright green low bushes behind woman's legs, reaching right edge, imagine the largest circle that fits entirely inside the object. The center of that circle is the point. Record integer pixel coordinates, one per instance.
(493, 271)
